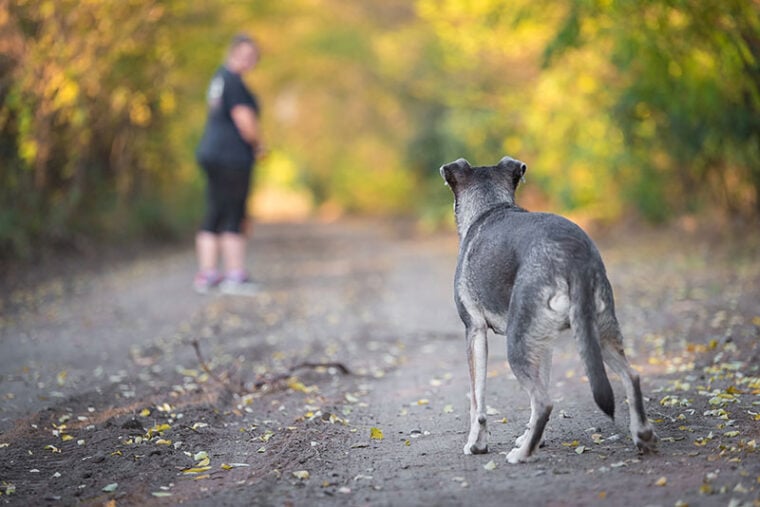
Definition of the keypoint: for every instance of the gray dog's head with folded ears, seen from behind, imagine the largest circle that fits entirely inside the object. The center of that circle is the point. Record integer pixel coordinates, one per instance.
(477, 189)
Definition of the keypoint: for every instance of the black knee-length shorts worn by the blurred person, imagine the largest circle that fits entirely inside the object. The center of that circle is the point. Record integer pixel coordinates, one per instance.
(226, 196)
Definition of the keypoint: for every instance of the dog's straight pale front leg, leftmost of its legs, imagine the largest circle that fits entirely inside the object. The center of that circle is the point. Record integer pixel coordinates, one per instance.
(477, 359)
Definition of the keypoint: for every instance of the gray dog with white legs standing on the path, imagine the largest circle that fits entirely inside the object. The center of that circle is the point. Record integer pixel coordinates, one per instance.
(528, 276)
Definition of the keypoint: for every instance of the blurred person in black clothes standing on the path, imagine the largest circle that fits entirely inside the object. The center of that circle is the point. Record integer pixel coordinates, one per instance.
(227, 152)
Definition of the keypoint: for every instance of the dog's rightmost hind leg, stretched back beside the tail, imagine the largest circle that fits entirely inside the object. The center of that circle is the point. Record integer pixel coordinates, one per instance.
(614, 355)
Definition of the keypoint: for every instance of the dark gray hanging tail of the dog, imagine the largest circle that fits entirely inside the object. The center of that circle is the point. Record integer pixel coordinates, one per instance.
(583, 324)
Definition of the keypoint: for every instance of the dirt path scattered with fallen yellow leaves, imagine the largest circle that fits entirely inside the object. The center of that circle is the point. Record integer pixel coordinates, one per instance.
(103, 399)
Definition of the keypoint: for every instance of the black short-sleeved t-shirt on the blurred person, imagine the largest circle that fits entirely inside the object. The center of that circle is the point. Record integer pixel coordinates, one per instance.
(221, 144)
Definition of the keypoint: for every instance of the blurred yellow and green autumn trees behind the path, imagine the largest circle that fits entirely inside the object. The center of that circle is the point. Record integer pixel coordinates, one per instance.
(629, 110)
